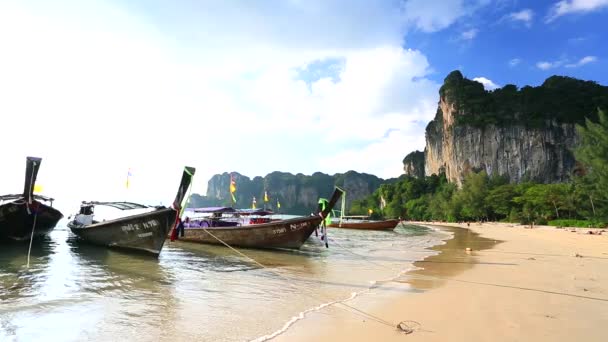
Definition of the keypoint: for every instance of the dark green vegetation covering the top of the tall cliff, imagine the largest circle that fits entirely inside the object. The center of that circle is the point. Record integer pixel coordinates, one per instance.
(559, 98)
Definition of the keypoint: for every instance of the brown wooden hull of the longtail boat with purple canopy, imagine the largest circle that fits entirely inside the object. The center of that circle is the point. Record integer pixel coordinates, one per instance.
(291, 233)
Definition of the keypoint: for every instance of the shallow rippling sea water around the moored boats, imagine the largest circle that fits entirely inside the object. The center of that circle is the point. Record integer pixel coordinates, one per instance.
(76, 292)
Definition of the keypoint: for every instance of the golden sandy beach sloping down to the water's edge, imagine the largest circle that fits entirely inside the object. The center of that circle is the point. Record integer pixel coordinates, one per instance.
(517, 284)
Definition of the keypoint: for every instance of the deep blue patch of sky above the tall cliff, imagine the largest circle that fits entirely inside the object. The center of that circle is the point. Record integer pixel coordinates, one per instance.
(507, 41)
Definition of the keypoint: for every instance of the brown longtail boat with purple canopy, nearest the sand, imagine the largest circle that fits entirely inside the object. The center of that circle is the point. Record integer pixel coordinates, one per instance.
(287, 233)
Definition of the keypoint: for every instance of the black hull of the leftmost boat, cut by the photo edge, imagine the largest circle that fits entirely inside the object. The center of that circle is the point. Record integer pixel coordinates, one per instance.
(16, 223)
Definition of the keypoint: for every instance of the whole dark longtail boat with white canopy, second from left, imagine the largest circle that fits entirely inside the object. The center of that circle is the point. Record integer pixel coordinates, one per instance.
(145, 231)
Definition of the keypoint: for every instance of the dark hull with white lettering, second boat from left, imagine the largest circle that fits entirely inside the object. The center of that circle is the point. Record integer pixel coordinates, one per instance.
(143, 232)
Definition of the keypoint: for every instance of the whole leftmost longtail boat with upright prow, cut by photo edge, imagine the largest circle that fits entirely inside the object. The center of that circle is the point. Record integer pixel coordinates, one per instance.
(25, 216)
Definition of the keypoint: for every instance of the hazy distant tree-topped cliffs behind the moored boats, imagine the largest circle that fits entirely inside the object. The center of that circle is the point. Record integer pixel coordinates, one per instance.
(297, 194)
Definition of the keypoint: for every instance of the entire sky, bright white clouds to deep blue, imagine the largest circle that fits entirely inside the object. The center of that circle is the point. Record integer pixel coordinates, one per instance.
(99, 87)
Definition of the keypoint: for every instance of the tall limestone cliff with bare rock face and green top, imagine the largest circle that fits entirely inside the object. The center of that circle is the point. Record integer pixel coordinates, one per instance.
(525, 134)
